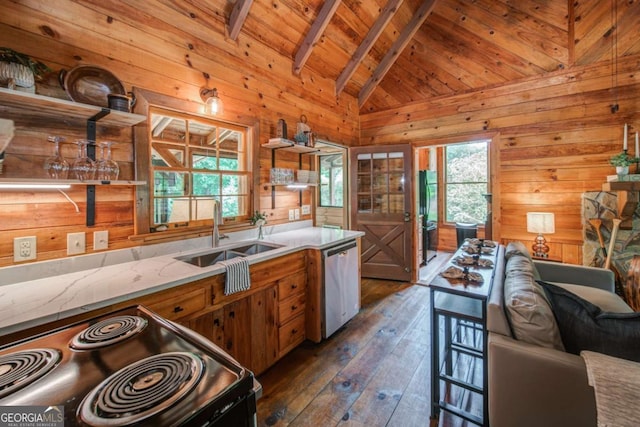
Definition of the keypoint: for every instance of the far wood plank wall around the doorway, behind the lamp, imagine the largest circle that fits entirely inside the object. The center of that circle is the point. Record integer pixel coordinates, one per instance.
(552, 137)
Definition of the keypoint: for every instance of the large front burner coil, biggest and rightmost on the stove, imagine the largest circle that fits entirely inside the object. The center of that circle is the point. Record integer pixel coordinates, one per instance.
(142, 389)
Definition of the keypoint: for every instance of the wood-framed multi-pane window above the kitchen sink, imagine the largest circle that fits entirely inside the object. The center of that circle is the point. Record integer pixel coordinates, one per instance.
(193, 162)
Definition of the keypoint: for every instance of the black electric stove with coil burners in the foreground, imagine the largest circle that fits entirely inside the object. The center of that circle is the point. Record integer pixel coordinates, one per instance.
(130, 367)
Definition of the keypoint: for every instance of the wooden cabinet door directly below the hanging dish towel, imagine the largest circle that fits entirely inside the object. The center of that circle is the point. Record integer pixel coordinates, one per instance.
(237, 333)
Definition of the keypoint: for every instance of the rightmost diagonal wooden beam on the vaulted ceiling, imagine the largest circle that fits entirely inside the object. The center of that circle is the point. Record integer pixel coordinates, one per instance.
(396, 49)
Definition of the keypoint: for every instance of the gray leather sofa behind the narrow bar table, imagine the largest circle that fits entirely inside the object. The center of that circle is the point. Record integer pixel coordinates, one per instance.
(533, 381)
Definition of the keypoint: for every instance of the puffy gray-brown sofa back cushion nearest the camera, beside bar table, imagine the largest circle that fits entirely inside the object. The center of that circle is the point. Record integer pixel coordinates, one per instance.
(528, 310)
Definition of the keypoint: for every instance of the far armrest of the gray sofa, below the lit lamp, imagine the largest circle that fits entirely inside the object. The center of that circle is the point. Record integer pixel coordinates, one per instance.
(576, 274)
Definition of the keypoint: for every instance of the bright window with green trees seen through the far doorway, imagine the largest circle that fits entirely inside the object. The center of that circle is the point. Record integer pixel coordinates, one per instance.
(466, 181)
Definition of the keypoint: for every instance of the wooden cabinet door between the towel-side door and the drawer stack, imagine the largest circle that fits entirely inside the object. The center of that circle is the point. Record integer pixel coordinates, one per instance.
(264, 331)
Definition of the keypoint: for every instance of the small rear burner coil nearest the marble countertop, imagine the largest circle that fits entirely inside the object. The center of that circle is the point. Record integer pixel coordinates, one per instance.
(108, 331)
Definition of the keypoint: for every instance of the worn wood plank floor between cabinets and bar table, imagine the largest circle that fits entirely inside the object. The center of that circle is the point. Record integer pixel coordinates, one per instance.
(373, 372)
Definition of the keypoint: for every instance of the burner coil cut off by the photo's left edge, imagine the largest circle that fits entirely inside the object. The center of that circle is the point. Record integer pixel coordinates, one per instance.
(24, 367)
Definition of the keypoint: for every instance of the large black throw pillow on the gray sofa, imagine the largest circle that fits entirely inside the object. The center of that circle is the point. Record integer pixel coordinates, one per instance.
(584, 326)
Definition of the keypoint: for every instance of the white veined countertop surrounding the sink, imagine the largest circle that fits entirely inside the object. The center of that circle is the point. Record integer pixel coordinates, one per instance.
(24, 304)
